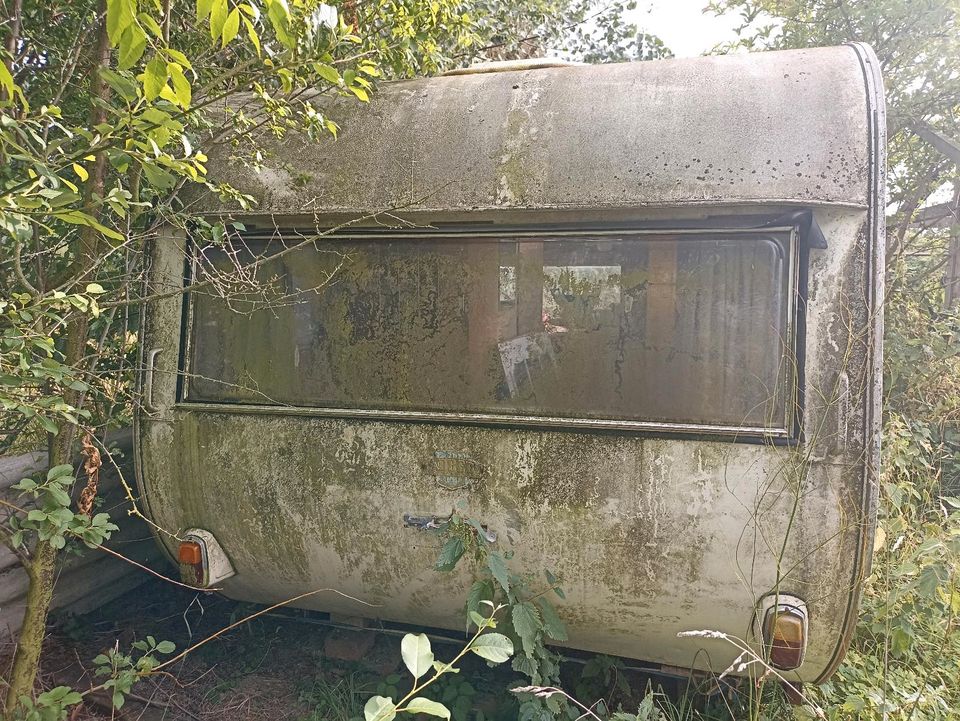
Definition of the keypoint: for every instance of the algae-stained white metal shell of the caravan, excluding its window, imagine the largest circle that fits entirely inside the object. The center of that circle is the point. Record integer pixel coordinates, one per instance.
(653, 533)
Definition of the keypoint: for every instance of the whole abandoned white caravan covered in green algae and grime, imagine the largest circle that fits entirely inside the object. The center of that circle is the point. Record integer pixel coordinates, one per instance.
(625, 316)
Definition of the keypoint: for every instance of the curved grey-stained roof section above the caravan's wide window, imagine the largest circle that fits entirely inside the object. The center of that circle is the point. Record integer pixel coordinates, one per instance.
(768, 128)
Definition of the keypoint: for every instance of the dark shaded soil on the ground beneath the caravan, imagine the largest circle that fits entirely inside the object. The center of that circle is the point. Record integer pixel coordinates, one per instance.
(288, 664)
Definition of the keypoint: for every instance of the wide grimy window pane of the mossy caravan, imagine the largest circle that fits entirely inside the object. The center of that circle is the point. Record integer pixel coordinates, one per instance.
(690, 329)
